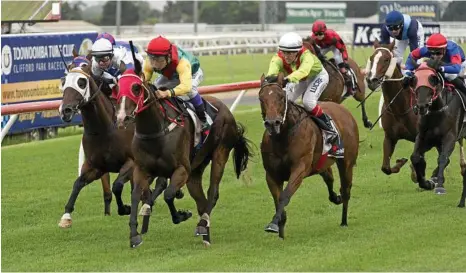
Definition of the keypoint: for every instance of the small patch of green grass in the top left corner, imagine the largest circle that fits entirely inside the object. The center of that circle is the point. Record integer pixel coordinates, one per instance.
(23, 10)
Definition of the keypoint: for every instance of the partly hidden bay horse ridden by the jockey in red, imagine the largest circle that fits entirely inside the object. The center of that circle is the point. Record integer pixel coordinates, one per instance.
(336, 86)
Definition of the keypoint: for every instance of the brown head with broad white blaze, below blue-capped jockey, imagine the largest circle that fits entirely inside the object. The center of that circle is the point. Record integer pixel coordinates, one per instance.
(380, 65)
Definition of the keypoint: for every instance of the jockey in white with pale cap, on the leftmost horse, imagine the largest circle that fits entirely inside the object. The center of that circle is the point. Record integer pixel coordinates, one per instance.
(110, 61)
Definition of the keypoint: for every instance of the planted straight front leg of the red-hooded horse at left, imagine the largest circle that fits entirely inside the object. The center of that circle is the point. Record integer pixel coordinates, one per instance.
(141, 186)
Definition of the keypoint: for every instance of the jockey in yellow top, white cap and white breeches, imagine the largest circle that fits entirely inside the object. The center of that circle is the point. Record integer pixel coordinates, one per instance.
(305, 76)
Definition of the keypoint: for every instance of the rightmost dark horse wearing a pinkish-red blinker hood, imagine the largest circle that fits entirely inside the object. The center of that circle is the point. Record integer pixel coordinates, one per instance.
(442, 110)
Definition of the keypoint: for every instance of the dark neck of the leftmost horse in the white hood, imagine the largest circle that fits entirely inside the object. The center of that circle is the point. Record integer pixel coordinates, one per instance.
(96, 118)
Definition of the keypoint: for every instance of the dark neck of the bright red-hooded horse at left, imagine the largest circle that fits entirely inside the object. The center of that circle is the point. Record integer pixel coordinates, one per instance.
(150, 121)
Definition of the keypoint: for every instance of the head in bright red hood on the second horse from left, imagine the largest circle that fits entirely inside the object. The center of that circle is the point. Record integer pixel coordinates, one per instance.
(133, 97)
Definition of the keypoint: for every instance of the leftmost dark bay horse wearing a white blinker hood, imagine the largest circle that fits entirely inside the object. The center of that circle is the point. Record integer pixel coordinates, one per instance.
(107, 148)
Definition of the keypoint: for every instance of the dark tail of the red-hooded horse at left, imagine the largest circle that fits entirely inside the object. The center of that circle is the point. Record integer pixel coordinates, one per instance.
(241, 151)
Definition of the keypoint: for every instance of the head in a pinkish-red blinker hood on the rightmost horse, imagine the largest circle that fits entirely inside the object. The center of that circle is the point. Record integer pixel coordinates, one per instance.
(427, 86)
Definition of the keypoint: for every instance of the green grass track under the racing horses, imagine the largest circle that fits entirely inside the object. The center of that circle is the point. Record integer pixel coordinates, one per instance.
(392, 225)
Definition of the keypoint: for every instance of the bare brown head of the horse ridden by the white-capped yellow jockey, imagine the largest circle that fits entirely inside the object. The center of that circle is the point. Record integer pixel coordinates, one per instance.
(274, 102)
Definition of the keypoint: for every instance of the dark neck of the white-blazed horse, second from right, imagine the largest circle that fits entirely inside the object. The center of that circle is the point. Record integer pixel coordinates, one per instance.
(391, 88)
